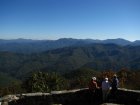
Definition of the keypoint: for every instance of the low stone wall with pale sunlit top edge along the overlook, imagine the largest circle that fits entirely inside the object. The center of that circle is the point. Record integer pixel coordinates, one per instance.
(71, 97)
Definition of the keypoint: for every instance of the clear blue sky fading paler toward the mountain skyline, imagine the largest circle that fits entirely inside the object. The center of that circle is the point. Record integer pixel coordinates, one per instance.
(81, 19)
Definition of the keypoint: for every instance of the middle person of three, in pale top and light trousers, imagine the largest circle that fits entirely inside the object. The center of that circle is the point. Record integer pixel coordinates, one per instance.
(105, 89)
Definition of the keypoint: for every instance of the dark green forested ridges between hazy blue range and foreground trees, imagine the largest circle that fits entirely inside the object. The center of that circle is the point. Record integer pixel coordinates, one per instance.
(94, 56)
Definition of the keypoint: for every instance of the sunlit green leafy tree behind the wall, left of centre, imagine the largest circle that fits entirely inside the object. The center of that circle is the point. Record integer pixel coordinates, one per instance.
(45, 82)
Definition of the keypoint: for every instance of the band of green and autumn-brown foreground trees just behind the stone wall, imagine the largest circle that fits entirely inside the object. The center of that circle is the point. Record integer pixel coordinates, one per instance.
(47, 82)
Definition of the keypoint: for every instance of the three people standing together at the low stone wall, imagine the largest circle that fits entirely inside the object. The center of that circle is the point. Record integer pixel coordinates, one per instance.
(107, 87)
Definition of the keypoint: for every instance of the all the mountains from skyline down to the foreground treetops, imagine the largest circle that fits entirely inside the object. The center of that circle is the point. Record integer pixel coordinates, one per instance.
(20, 57)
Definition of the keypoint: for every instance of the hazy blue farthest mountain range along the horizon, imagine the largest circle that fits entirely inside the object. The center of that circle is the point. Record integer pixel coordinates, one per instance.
(28, 46)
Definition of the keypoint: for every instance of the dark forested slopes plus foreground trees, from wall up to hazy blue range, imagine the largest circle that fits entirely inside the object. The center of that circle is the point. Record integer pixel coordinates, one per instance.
(69, 67)
